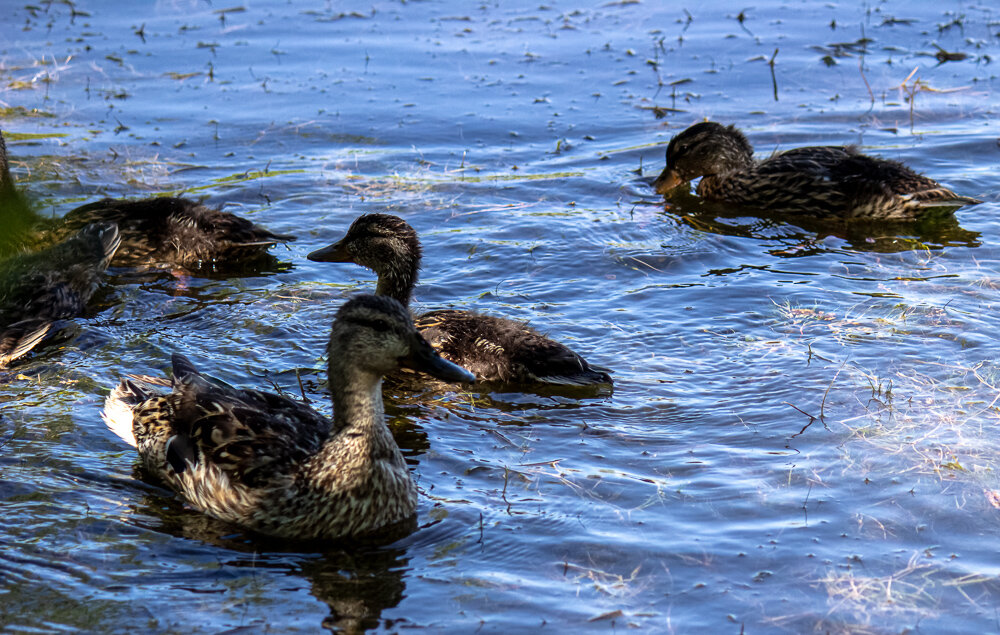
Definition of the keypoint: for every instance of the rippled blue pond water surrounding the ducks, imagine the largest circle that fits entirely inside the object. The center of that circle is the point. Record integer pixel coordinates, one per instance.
(803, 432)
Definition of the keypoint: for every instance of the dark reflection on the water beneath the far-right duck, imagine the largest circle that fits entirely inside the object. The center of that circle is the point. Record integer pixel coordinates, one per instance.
(801, 236)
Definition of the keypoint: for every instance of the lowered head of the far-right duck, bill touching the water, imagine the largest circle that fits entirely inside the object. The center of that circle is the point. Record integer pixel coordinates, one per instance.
(704, 149)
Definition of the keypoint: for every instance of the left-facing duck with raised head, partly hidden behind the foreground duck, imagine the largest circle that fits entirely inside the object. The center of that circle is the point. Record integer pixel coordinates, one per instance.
(495, 349)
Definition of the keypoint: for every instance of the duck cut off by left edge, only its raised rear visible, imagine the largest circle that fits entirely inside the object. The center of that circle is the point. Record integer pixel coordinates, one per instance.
(41, 288)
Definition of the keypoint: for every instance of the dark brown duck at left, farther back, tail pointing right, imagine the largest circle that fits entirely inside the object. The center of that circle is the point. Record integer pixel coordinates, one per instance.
(160, 230)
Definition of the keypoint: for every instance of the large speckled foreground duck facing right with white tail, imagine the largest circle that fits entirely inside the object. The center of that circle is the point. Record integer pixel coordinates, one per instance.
(272, 464)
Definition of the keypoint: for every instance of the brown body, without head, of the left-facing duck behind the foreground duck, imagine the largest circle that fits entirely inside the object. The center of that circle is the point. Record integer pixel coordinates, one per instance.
(498, 349)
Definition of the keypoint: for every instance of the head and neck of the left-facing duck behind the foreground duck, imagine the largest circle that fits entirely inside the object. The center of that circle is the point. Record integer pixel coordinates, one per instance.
(387, 245)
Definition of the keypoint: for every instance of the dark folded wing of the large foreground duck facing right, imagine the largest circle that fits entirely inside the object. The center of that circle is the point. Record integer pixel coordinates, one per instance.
(250, 435)
